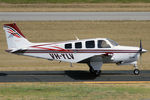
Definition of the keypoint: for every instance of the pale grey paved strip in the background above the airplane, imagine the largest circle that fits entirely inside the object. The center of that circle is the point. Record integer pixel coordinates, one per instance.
(48, 16)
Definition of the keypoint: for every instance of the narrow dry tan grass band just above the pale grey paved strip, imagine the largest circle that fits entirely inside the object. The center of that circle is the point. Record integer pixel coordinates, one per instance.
(75, 7)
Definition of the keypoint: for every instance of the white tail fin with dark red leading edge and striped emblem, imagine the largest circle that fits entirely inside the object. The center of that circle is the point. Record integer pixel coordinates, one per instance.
(15, 39)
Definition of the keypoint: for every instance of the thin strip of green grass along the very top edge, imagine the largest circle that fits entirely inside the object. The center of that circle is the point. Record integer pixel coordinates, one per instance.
(72, 1)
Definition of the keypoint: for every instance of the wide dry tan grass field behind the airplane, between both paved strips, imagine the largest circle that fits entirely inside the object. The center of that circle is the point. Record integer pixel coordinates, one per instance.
(124, 32)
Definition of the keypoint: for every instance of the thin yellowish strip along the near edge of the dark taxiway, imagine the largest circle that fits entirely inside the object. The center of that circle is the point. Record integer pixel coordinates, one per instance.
(84, 82)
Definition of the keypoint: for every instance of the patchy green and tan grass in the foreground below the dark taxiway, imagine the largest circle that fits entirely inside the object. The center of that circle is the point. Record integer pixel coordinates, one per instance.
(46, 91)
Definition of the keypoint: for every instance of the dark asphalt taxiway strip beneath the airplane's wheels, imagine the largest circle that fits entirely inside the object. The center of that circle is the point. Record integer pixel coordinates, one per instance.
(71, 76)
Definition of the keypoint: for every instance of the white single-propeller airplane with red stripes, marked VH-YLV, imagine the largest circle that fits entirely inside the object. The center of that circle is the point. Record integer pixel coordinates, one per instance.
(93, 52)
